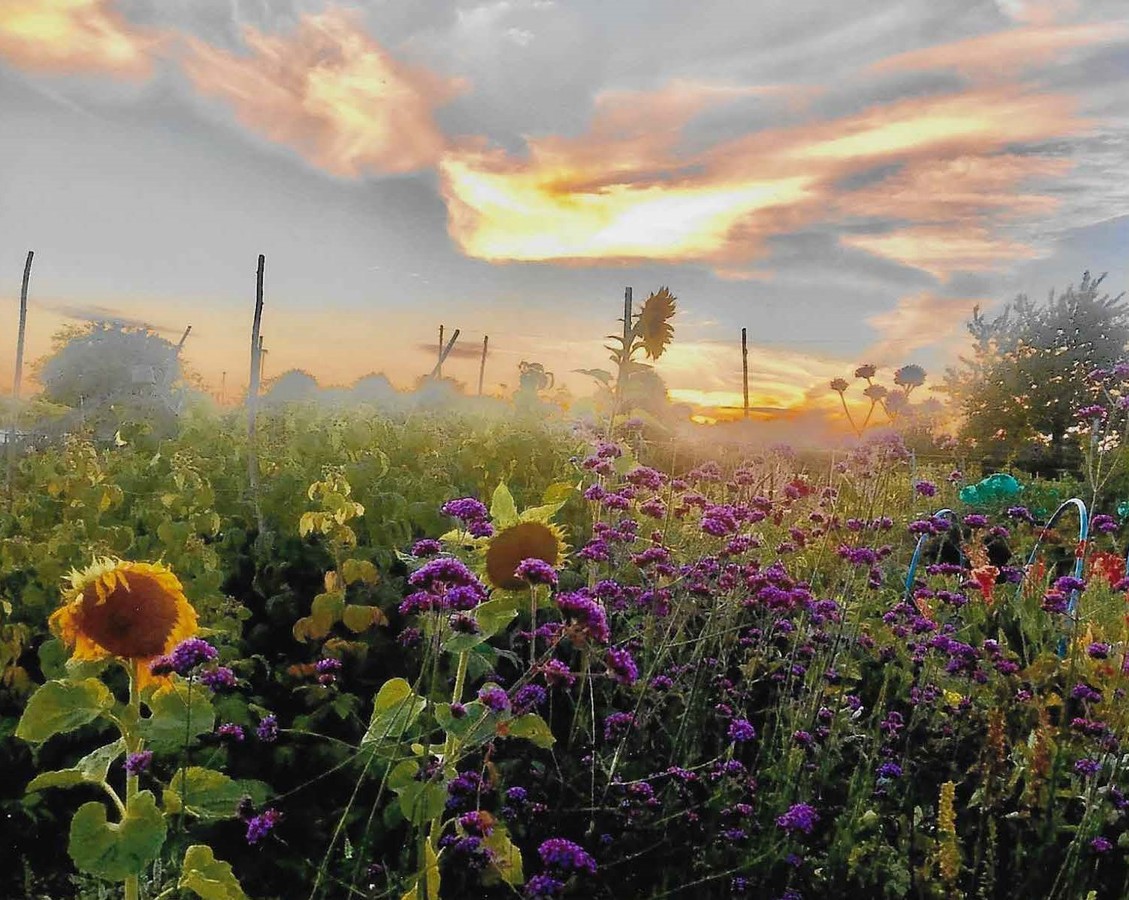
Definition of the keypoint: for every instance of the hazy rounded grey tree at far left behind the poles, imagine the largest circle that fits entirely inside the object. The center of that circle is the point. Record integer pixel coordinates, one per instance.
(113, 375)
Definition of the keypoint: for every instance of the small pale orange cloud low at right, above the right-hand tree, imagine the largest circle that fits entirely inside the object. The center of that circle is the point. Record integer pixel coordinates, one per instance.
(942, 250)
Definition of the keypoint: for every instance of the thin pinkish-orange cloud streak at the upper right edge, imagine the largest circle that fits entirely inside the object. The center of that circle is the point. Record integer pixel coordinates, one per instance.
(1025, 48)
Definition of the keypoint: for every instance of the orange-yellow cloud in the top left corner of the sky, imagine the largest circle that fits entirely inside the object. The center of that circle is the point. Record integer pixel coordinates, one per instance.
(73, 37)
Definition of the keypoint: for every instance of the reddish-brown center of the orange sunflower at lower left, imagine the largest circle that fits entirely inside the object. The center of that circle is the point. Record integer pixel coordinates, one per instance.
(133, 624)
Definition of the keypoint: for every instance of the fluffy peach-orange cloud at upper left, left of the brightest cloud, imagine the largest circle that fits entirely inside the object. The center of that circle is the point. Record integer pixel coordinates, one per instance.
(330, 92)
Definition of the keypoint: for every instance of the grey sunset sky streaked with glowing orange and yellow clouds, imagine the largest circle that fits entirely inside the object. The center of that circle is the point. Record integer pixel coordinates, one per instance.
(846, 181)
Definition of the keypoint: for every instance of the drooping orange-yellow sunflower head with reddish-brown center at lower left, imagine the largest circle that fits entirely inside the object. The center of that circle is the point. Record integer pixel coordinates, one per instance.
(130, 611)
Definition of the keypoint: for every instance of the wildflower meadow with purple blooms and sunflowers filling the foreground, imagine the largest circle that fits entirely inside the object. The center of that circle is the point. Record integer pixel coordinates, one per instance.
(422, 654)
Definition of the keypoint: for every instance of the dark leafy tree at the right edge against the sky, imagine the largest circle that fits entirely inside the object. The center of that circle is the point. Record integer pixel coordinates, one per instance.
(1027, 378)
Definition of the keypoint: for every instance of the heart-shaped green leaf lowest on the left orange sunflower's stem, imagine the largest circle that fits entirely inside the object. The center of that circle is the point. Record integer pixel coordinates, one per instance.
(117, 851)
